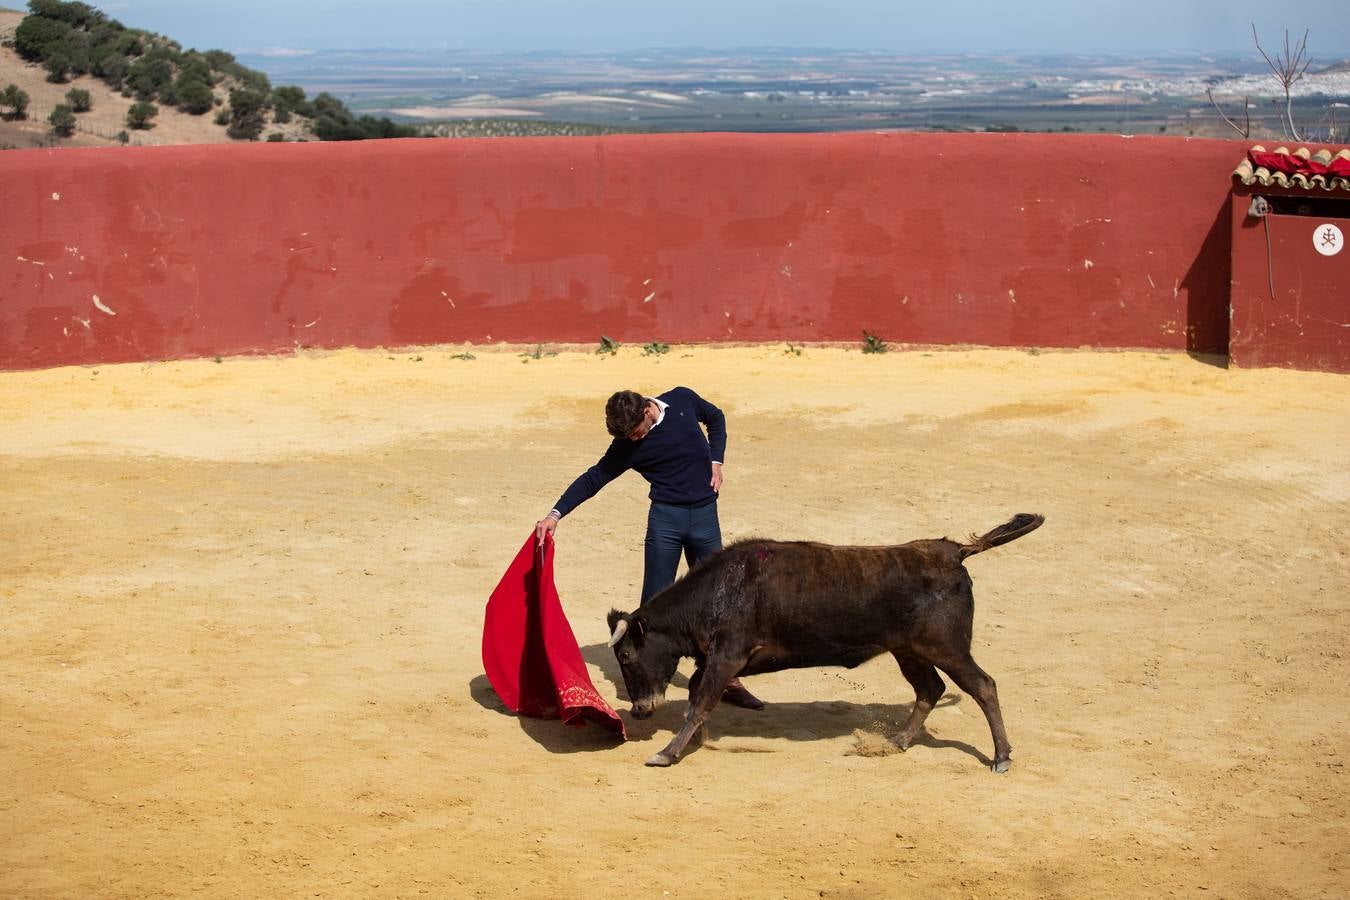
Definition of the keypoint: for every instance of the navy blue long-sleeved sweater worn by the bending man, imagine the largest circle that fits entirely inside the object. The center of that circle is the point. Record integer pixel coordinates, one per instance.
(676, 457)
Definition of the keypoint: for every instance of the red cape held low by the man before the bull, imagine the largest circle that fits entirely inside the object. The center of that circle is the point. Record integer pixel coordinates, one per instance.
(530, 652)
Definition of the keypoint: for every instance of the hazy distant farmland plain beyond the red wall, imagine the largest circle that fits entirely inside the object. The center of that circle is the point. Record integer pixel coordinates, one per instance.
(765, 91)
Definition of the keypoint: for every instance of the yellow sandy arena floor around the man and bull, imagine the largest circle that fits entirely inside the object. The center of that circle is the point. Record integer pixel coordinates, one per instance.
(242, 607)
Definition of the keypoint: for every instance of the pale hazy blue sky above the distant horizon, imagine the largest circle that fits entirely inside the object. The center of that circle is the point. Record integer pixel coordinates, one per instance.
(1175, 26)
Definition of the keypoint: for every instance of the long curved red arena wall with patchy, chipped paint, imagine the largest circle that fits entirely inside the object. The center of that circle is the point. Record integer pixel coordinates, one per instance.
(1024, 241)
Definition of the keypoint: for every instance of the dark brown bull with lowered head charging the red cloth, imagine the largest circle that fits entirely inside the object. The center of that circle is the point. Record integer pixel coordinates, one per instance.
(765, 607)
